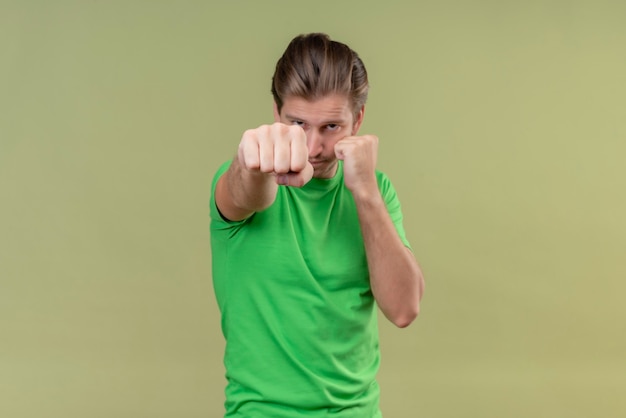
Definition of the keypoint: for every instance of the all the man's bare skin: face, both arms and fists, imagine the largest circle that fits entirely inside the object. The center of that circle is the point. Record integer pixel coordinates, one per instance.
(307, 140)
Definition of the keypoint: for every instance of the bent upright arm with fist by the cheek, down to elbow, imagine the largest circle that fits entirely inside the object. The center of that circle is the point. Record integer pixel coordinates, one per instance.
(395, 276)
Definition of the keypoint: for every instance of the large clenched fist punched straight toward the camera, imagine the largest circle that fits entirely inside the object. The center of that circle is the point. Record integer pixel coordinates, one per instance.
(278, 150)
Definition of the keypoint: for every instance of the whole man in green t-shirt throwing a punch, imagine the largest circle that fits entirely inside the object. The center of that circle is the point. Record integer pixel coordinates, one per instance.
(307, 240)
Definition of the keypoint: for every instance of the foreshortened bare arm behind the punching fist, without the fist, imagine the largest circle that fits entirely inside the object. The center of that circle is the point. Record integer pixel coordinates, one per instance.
(240, 192)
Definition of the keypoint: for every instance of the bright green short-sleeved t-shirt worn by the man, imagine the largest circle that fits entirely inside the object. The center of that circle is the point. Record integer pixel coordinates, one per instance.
(298, 314)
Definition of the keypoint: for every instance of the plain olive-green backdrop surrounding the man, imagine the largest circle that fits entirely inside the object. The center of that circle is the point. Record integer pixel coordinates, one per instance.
(502, 125)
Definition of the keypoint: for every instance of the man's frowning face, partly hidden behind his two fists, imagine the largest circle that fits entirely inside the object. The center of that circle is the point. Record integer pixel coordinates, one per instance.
(325, 121)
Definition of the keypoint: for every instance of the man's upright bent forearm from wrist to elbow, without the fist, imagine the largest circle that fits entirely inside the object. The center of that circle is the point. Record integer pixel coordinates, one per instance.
(395, 276)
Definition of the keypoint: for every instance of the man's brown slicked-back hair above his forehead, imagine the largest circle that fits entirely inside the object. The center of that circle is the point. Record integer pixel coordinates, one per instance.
(314, 66)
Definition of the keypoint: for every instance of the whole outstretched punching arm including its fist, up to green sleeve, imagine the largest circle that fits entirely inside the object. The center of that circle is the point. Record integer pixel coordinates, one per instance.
(267, 156)
